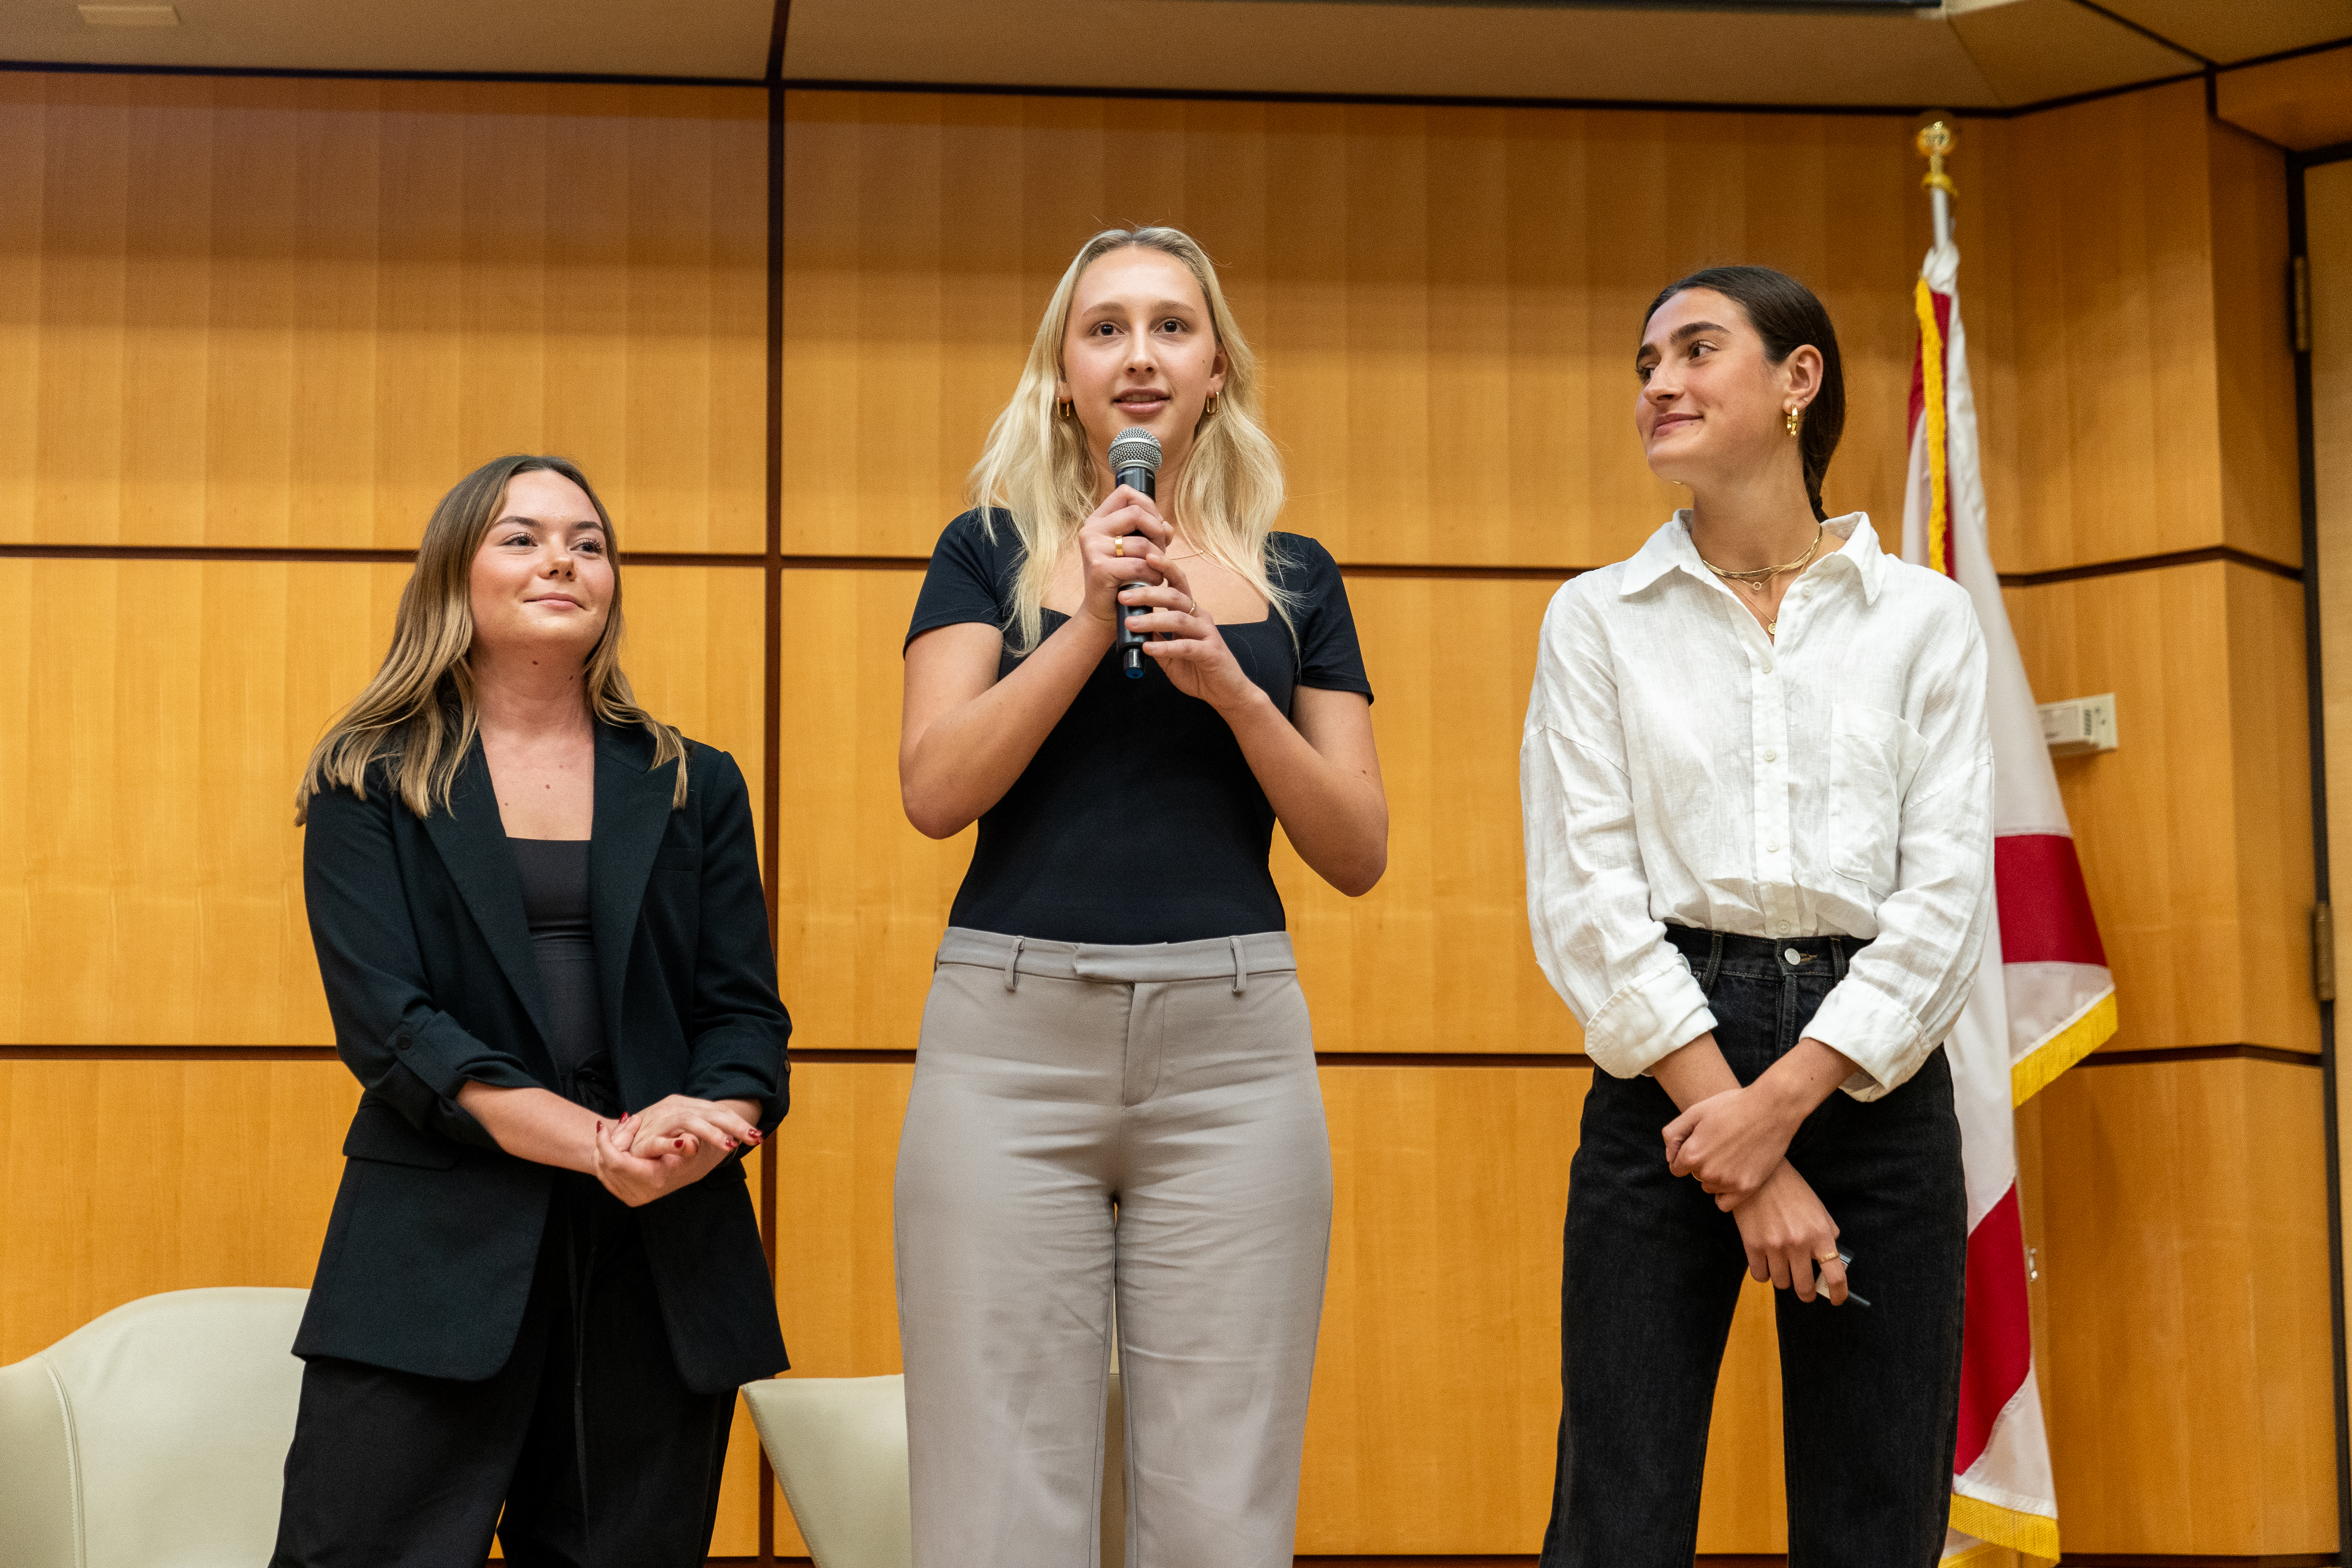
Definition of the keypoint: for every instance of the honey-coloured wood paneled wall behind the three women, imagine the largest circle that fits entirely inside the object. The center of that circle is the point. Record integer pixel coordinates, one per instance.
(286, 316)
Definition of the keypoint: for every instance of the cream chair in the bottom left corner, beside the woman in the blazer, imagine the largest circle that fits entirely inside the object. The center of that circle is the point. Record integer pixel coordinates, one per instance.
(154, 1438)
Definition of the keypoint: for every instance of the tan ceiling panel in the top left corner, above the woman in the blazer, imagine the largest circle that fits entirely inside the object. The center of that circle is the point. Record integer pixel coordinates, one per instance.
(566, 36)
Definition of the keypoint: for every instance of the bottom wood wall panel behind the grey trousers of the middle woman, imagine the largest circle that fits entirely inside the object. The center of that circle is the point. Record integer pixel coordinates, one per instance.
(1438, 1374)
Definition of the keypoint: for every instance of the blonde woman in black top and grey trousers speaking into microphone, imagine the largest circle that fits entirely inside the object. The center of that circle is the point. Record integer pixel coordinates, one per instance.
(1116, 1094)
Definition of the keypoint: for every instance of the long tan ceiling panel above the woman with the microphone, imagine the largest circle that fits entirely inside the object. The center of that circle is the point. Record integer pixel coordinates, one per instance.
(1904, 60)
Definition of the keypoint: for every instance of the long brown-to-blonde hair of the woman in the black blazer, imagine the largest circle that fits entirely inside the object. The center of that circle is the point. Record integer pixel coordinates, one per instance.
(422, 711)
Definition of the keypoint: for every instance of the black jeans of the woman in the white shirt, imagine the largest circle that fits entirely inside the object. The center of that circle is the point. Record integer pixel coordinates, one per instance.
(1869, 1395)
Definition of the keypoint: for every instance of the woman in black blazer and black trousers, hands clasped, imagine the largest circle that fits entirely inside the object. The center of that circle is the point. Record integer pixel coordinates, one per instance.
(540, 923)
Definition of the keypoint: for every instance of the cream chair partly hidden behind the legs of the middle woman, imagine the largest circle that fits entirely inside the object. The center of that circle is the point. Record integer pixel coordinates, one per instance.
(838, 1447)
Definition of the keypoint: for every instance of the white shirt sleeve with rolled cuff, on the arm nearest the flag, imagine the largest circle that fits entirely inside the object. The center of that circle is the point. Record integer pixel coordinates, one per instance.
(1906, 989)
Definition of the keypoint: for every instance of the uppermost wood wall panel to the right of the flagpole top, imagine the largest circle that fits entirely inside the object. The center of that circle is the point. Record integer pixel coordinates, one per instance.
(2146, 248)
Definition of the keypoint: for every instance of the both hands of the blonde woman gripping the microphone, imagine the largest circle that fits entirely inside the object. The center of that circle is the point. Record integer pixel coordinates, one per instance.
(1125, 558)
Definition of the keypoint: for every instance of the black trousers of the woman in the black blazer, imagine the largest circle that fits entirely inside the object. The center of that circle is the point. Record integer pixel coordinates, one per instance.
(589, 1442)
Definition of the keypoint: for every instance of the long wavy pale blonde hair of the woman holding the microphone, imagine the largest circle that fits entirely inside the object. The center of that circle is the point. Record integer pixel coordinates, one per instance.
(1036, 467)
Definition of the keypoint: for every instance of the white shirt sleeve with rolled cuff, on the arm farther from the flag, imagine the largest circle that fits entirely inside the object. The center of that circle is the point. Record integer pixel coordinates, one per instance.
(1586, 894)
